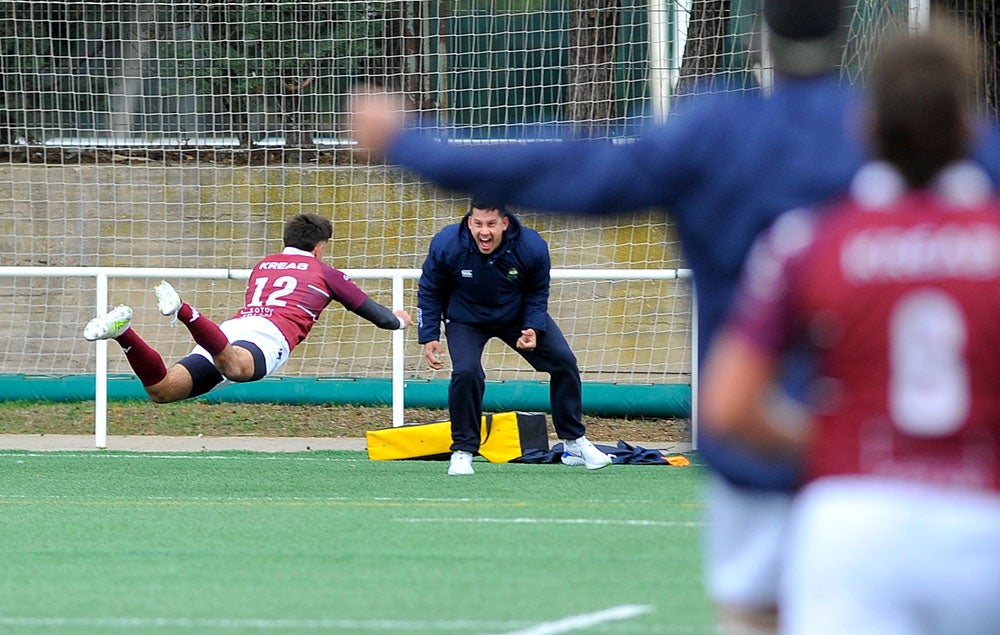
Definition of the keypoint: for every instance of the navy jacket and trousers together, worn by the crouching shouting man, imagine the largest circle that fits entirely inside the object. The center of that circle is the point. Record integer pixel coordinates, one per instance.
(481, 296)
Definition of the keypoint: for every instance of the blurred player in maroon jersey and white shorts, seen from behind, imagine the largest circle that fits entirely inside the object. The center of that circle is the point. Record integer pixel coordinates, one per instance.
(897, 291)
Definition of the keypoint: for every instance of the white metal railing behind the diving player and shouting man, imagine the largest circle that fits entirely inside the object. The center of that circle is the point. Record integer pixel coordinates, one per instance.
(103, 274)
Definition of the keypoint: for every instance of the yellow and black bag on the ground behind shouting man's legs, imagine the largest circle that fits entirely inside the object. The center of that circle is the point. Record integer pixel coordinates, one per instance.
(505, 436)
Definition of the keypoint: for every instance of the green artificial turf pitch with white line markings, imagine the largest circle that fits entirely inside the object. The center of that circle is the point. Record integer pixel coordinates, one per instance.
(330, 542)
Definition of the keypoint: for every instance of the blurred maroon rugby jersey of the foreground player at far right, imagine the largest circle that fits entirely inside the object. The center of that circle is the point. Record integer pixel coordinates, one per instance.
(898, 294)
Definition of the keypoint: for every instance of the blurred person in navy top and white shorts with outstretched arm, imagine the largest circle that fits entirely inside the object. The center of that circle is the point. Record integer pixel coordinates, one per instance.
(723, 166)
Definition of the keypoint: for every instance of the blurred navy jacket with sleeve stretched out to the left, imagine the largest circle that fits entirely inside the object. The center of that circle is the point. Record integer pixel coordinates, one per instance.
(722, 166)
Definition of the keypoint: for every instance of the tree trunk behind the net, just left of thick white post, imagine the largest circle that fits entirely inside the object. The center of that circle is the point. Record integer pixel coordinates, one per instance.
(591, 86)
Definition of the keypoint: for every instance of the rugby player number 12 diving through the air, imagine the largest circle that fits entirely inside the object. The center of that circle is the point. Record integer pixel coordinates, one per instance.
(284, 298)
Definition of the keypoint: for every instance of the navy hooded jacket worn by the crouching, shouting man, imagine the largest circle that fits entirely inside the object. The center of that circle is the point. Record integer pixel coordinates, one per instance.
(508, 286)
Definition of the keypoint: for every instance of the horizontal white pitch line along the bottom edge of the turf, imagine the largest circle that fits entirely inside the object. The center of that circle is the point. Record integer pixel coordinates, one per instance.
(201, 624)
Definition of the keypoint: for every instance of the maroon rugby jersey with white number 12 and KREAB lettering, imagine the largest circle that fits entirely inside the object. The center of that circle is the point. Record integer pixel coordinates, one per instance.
(292, 288)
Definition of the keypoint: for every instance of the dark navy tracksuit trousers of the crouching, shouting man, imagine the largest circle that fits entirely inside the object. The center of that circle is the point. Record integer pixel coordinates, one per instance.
(468, 380)
